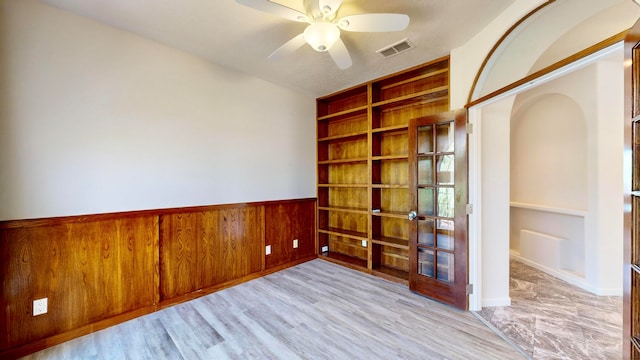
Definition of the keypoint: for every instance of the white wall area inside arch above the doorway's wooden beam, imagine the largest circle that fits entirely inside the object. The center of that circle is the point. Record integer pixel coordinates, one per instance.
(518, 55)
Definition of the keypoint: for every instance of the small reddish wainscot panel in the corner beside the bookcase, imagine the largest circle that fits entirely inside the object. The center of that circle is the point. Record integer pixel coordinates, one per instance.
(284, 223)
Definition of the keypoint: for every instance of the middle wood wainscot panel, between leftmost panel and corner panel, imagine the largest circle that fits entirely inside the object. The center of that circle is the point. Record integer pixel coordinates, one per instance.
(205, 248)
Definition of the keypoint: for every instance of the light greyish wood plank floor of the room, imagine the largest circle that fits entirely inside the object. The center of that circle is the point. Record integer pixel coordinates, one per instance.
(316, 310)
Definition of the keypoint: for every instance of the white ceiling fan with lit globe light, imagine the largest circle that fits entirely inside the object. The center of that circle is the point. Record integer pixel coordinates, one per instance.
(323, 31)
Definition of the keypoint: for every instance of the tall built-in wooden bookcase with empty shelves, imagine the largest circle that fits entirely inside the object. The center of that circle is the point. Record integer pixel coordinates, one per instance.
(363, 170)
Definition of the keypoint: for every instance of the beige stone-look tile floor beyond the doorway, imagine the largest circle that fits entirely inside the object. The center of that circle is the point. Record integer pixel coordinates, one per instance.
(551, 319)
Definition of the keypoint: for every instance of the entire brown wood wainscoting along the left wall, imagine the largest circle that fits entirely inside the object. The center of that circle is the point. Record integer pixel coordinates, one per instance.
(100, 270)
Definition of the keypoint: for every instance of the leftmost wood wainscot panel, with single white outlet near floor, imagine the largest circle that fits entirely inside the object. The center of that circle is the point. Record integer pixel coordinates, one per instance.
(88, 271)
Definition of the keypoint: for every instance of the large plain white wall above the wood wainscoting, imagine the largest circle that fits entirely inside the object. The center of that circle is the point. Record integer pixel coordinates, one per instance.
(94, 120)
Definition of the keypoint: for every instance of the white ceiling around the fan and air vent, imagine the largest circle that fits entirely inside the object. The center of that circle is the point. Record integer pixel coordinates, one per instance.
(227, 33)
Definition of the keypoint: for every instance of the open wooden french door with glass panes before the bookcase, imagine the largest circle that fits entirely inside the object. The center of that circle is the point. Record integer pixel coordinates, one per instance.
(438, 188)
